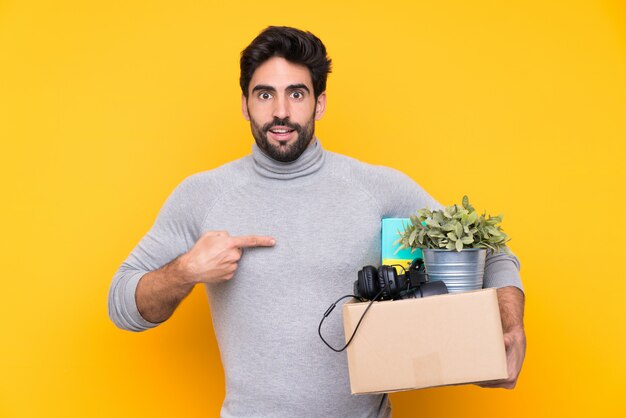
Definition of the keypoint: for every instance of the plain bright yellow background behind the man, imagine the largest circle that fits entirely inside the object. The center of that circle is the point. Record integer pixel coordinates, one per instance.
(106, 106)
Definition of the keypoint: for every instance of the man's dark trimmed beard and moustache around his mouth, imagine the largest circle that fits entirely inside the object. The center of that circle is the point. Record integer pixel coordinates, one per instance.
(284, 153)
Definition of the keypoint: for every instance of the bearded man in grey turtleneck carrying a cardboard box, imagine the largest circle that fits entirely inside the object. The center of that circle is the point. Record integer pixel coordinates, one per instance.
(317, 215)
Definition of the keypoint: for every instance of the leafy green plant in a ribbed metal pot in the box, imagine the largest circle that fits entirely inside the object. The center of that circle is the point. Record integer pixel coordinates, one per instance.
(454, 243)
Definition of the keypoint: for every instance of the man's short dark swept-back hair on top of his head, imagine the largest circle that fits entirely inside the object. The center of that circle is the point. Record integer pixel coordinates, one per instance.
(291, 44)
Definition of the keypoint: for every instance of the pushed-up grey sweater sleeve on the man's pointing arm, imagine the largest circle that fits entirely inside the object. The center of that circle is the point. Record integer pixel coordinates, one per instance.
(175, 230)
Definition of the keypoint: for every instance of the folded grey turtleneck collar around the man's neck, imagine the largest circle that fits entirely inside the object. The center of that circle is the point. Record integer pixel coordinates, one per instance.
(309, 162)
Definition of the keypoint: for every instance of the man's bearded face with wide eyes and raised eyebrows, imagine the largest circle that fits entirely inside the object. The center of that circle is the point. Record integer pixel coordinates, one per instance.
(282, 109)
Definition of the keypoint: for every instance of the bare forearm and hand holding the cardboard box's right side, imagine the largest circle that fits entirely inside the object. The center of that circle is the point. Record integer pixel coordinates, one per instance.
(511, 301)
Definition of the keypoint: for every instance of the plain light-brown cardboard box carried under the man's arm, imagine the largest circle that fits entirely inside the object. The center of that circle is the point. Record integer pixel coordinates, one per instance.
(417, 343)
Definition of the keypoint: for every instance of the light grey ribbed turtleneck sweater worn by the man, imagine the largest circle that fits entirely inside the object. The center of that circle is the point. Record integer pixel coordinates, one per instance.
(324, 210)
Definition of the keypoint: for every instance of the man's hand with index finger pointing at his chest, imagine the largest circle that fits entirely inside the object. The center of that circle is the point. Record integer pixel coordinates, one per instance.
(214, 257)
